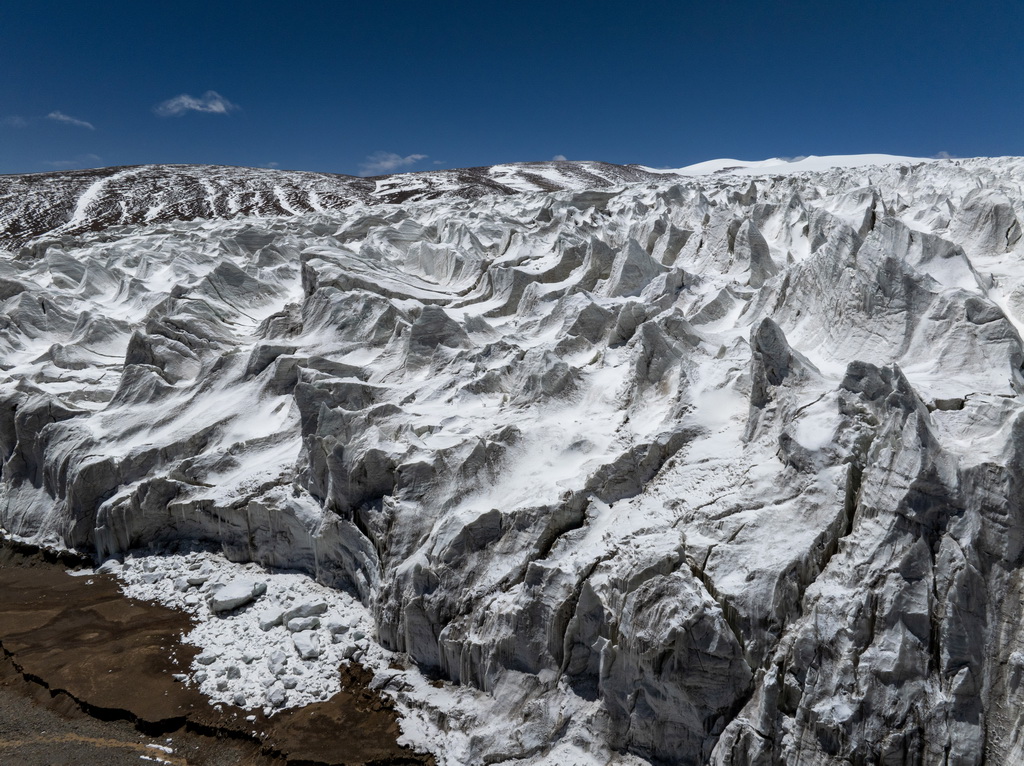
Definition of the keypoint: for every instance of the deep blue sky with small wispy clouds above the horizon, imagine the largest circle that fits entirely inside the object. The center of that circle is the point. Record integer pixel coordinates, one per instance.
(326, 86)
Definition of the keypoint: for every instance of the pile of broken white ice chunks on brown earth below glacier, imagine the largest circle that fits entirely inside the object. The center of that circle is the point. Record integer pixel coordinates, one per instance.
(270, 641)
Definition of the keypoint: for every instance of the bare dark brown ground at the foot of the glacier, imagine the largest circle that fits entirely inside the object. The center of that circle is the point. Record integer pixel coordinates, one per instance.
(76, 646)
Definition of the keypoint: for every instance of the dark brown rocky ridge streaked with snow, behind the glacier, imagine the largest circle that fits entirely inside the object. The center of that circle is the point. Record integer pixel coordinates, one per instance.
(70, 203)
